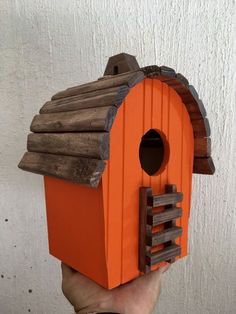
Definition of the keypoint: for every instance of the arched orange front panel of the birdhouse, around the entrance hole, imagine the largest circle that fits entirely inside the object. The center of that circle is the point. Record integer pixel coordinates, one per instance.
(151, 105)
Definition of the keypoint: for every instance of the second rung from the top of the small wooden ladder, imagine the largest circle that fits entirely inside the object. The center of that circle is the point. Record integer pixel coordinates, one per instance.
(154, 219)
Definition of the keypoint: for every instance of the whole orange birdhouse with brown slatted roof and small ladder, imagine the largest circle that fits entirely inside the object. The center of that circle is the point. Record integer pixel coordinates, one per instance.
(117, 156)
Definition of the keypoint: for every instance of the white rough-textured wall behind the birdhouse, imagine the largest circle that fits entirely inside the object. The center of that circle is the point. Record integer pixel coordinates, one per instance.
(46, 46)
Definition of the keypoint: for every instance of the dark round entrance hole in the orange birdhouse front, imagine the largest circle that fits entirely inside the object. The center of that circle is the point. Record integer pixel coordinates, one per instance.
(151, 152)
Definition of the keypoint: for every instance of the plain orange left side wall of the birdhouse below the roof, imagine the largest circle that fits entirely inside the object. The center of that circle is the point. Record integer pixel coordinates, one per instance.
(75, 217)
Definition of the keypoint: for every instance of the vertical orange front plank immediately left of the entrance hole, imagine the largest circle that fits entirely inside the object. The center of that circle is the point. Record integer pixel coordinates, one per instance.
(132, 133)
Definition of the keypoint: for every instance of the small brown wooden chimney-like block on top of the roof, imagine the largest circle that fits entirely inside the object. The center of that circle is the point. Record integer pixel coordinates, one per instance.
(121, 63)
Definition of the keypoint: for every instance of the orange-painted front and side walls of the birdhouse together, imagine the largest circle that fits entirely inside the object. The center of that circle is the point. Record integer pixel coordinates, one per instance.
(96, 230)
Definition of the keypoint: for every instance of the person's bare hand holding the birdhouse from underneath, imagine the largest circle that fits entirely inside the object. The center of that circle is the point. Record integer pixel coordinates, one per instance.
(136, 297)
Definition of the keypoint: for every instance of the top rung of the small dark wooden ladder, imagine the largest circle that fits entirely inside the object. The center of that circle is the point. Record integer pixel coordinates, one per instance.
(165, 199)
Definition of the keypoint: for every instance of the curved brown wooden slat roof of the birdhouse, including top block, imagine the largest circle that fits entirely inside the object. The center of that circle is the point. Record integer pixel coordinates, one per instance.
(70, 138)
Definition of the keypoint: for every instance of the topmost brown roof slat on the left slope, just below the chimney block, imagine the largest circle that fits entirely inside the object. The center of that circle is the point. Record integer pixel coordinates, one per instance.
(130, 79)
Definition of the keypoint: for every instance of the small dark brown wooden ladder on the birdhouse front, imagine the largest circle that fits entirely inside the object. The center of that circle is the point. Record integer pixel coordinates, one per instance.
(149, 219)
